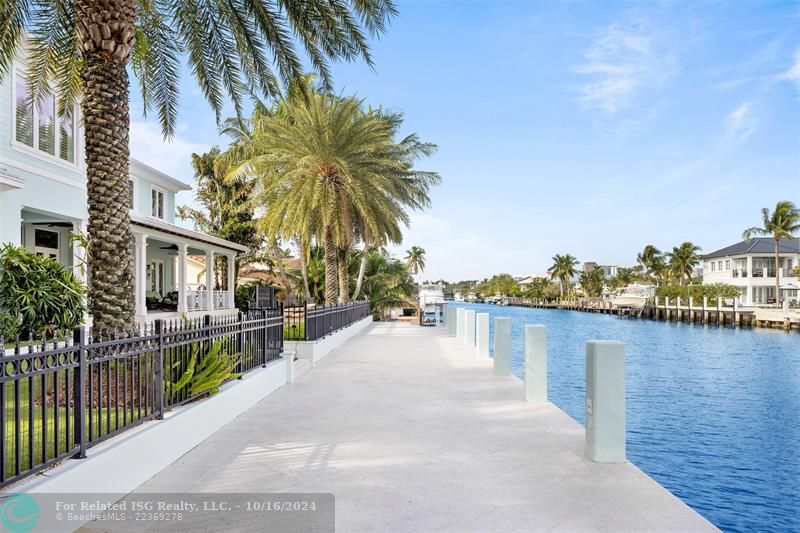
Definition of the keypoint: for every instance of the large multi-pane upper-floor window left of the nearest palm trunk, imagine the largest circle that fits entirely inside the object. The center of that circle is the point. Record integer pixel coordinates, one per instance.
(40, 126)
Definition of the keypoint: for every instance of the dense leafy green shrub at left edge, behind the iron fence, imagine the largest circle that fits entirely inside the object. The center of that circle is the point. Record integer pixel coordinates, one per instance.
(44, 295)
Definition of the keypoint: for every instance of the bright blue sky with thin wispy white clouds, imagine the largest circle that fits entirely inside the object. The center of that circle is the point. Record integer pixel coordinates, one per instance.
(590, 128)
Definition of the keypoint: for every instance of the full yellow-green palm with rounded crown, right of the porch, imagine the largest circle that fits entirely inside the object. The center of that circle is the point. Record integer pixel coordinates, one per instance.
(330, 169)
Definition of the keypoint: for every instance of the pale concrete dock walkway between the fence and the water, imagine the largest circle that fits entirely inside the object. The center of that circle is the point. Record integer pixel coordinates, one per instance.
(411, 432)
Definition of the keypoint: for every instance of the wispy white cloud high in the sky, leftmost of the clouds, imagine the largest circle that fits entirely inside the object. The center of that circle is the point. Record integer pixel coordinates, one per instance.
(621, 63)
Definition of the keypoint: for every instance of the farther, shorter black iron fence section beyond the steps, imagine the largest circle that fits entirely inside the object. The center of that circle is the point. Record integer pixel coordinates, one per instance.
(310, 322)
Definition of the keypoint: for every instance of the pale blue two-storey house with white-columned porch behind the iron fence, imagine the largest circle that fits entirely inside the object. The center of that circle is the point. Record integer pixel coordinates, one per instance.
(43, 200)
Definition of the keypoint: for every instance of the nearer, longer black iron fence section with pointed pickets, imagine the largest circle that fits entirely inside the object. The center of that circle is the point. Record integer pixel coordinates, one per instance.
(60, 396)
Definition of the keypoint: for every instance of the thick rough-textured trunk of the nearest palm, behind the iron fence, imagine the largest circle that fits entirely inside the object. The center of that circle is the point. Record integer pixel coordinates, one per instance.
(105, 33)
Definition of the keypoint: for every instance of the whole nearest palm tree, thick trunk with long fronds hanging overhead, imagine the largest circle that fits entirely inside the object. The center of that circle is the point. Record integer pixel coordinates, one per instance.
(85, 46)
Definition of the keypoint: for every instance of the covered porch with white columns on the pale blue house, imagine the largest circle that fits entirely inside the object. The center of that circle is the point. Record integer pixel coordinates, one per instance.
(172, 274)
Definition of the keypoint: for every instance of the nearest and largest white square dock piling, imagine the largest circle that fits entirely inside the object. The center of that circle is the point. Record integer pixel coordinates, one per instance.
(605, 401)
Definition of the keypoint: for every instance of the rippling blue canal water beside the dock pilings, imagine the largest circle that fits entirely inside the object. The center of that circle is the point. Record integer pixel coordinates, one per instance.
(712, 414)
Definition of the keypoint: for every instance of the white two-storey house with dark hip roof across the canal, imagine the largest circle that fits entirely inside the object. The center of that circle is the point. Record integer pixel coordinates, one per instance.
(750, 265)
